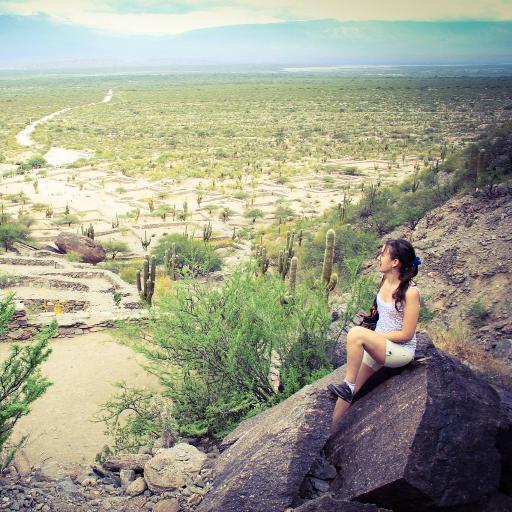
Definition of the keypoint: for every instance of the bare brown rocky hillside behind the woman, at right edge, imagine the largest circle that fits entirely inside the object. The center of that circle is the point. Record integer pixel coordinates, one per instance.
(465, 247)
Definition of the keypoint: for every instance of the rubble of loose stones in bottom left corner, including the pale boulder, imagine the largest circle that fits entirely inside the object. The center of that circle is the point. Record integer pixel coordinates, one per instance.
(161, 478)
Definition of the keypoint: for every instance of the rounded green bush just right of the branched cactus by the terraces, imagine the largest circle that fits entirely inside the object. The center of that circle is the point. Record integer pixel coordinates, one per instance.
(194, 257)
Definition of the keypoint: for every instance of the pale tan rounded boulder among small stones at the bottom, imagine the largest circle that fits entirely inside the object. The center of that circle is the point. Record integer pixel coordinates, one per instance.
(172, 468)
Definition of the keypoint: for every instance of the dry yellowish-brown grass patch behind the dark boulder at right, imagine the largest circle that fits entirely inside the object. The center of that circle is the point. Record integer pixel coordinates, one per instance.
(458, 341)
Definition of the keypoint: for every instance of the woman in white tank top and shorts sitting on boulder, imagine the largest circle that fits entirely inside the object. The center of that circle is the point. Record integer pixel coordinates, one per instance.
(393, 342)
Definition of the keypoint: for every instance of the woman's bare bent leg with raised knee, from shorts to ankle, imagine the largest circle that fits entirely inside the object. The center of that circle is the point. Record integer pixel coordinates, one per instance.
(360, 339)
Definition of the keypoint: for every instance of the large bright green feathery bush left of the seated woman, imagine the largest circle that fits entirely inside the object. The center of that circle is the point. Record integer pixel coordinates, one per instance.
(212, 348)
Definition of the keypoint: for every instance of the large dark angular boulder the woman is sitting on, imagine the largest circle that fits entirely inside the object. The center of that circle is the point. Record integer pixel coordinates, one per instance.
(423, 439)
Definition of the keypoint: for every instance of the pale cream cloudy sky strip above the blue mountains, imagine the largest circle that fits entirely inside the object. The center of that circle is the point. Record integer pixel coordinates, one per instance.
(161, 17)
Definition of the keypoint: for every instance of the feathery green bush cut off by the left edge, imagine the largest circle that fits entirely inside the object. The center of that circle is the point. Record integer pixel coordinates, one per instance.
(20, 380)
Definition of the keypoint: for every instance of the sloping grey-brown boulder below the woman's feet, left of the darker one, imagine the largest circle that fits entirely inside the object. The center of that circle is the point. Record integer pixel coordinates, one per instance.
(266, 458)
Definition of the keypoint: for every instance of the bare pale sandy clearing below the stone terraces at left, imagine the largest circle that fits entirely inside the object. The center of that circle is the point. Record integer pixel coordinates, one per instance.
(82, 369)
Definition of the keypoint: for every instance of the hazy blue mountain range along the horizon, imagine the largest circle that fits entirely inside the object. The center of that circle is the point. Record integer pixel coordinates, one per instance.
(38, 42)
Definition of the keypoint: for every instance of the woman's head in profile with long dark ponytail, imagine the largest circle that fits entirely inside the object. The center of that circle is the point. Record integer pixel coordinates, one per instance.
(398, 256)
